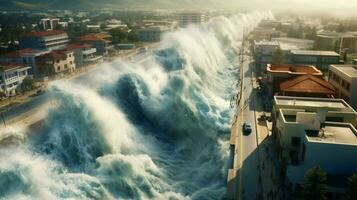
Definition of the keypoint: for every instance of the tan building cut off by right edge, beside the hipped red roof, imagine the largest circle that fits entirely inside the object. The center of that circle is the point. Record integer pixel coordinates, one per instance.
(344, 79)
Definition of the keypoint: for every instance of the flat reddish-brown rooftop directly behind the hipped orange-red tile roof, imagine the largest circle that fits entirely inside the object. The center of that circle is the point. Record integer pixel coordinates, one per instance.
(293, 69)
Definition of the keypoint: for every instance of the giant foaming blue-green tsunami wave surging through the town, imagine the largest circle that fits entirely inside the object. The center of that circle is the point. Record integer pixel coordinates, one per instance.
(153, 129)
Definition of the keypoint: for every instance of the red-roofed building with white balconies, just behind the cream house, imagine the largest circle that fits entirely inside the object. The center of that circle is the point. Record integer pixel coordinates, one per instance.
(84, 54)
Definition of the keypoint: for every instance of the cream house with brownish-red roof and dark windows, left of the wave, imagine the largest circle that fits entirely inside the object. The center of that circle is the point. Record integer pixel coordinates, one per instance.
(56, 63)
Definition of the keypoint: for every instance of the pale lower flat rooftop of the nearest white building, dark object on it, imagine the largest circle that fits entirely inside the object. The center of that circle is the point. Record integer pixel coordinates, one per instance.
(334, 133)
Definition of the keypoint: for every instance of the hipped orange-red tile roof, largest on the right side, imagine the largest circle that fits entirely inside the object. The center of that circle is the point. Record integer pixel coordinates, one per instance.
(307, 84)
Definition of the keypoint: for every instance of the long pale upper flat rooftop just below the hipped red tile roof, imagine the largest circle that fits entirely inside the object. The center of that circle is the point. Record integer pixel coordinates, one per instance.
(312, 102)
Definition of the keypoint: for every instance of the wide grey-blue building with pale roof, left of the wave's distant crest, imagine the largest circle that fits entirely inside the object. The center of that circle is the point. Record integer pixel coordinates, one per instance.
(152, 33)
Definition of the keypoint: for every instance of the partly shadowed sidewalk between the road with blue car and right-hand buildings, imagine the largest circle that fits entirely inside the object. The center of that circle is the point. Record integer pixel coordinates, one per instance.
(269, 163)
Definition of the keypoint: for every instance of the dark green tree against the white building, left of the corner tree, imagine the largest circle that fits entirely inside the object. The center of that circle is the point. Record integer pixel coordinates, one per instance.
(314, 186)
